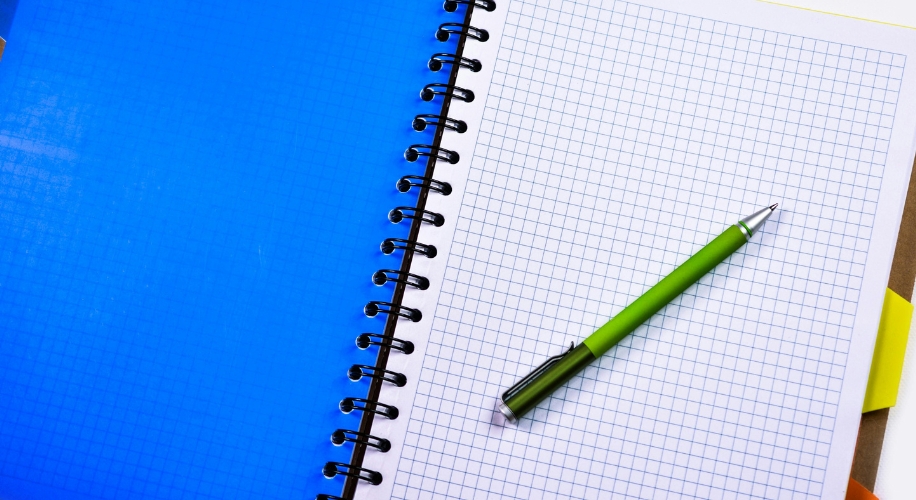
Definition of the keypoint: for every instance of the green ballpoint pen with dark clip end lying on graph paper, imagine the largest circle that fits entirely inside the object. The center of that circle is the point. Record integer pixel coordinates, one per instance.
(557, 370)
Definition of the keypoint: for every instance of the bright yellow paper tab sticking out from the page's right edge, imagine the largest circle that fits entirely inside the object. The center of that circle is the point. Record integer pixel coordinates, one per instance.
(887, 364)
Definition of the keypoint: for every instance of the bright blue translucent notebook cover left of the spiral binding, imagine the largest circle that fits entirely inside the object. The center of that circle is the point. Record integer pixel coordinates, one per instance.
(192, 195)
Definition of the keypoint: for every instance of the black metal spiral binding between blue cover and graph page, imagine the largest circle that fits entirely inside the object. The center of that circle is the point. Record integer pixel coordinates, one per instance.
(402, 278)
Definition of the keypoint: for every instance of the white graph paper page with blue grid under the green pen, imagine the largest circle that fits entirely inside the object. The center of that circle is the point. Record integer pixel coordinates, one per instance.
(608, 143)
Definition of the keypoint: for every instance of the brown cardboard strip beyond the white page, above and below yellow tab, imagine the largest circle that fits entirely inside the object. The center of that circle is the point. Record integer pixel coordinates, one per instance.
(903, 273)
